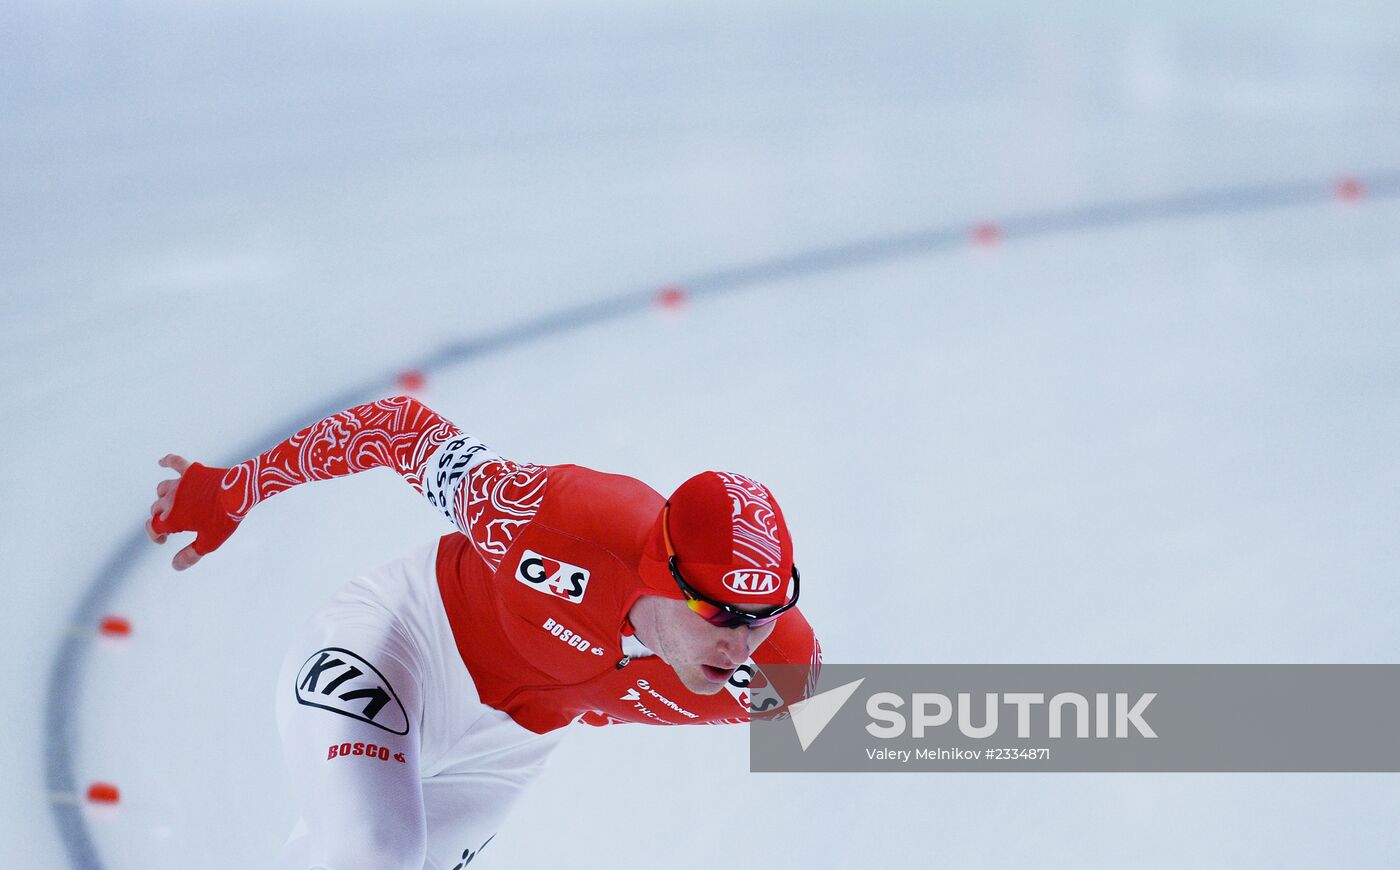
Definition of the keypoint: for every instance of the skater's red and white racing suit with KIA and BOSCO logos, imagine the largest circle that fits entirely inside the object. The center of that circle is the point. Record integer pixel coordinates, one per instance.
(419, 704)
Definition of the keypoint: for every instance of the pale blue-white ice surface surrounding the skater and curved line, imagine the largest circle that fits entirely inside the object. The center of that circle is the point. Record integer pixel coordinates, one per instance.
(1171, 442)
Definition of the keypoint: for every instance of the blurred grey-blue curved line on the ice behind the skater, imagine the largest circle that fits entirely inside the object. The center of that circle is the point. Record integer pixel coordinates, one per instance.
(66, 672)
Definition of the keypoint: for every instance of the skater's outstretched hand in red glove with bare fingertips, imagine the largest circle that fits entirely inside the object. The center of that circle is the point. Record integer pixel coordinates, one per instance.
(191, 502)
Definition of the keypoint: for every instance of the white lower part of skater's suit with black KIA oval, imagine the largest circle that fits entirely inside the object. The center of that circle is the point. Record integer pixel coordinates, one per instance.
(395, 761)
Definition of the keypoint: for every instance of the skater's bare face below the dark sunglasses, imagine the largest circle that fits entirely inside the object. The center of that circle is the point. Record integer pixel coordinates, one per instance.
(703, 656)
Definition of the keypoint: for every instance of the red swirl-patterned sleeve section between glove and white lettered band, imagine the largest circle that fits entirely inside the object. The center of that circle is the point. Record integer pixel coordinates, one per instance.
(397, 434)
